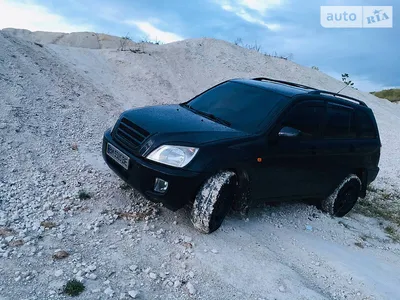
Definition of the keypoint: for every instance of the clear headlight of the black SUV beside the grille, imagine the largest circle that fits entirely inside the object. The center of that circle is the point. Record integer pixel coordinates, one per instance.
(176, 156)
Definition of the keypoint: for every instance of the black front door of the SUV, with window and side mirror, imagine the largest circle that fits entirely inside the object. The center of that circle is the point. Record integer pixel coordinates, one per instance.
(290, 167)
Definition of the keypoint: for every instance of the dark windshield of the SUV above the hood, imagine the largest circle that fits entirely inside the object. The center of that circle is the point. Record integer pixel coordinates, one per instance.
(240, 106)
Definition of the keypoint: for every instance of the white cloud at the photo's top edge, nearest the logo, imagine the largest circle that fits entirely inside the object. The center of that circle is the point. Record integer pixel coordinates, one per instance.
(252, 11)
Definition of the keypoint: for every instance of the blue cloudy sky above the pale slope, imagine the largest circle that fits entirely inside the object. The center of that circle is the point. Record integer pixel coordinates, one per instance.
(371, 56)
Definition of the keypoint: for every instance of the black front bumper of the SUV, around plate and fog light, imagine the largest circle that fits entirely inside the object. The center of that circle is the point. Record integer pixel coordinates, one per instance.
(141, 175)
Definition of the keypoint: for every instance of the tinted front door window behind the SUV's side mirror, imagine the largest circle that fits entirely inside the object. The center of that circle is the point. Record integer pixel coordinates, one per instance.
(306, 117)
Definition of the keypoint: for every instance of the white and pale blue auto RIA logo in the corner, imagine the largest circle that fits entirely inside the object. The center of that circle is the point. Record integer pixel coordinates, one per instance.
(357, 16)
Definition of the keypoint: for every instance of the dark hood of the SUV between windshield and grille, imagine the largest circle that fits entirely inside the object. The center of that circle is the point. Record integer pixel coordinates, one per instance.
(178, 124)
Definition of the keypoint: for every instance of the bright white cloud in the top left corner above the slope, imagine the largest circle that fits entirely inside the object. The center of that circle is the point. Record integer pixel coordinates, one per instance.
(34, 17)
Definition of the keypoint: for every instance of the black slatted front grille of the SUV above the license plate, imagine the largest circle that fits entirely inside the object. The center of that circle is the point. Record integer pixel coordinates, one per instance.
(130, 134)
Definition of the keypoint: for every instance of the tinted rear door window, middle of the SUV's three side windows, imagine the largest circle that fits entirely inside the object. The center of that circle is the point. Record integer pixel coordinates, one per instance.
(339, 122)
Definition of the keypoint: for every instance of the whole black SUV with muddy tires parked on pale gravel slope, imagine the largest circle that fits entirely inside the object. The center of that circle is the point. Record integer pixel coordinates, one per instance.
(244, 141)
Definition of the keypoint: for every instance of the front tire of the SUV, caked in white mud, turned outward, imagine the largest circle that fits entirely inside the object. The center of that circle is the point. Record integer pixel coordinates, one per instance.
(213, 202)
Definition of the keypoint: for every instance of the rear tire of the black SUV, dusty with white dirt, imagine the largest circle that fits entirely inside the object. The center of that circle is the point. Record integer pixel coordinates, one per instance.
(343, 199)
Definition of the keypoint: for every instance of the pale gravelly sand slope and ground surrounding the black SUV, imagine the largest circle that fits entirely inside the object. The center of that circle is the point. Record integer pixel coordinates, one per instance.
(55, 95)
